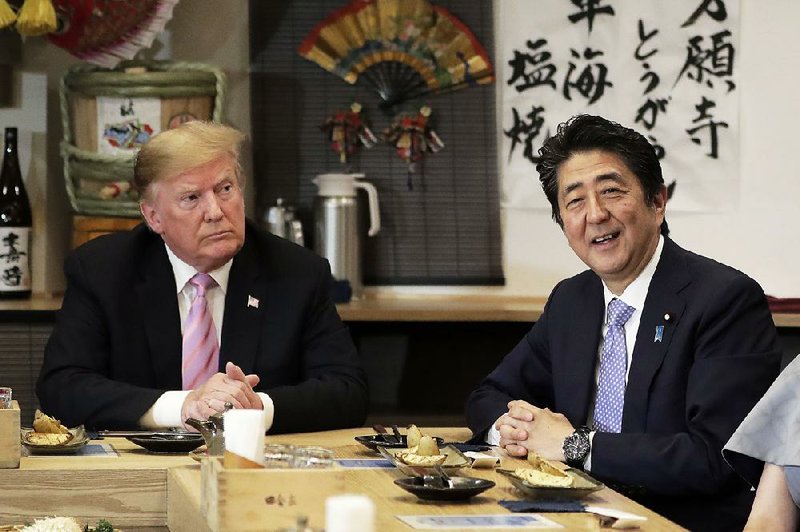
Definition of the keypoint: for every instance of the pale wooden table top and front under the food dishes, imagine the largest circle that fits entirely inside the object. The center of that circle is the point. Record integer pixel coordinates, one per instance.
(138, 489)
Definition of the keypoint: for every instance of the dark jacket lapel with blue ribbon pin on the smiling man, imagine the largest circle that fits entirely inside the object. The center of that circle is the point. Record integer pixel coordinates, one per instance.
(663, 309)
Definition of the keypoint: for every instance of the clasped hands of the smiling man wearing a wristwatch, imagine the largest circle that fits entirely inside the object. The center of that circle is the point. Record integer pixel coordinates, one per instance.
(528, 428)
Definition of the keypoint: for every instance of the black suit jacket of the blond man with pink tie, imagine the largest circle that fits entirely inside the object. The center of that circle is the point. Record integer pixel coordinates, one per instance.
(116, 345)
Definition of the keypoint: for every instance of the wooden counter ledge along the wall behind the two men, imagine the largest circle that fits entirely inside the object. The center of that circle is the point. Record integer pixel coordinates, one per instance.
(409, 308)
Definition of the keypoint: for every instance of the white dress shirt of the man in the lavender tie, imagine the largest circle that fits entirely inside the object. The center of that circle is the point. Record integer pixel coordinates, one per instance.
(634, 295)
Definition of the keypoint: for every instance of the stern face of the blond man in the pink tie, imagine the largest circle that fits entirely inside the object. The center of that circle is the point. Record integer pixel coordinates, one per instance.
(199, 213)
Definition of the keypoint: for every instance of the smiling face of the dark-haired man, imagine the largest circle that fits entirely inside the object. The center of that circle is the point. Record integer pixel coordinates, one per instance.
(606, 219)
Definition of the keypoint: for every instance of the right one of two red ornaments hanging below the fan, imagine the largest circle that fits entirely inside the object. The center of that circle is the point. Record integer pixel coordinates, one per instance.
(412, 137)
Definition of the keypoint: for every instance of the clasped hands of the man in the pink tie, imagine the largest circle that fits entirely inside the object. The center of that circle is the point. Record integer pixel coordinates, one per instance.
(232, 387)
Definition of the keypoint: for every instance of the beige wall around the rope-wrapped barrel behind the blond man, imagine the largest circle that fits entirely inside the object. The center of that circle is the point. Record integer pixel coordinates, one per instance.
(200, 31)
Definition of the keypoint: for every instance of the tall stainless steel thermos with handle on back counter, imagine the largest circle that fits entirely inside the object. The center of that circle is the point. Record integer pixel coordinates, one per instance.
(337, 236)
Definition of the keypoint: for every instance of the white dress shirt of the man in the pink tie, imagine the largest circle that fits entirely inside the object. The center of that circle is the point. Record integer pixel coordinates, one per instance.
(166, 411)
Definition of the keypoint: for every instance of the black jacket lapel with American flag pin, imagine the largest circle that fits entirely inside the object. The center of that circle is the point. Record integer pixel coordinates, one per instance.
(245, 301)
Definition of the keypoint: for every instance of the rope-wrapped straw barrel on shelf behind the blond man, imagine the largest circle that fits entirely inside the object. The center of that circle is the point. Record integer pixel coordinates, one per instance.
(100, 184)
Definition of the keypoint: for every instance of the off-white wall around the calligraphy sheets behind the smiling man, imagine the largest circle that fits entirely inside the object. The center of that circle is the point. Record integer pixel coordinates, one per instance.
(759, 234)
